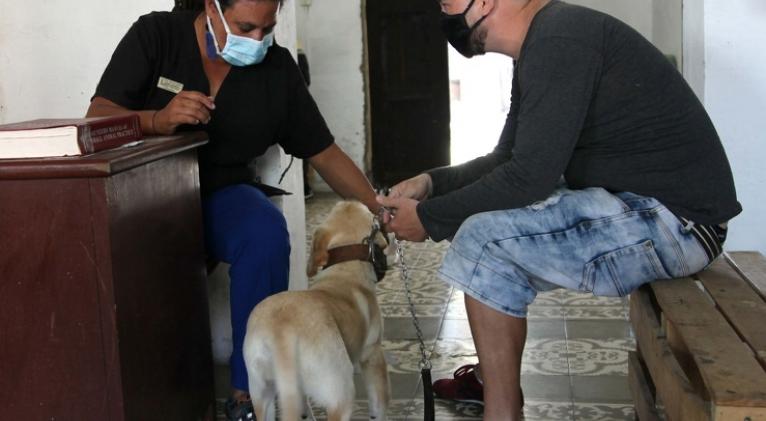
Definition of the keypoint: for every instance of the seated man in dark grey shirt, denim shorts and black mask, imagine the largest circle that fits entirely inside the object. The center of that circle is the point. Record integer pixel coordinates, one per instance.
(608, 174)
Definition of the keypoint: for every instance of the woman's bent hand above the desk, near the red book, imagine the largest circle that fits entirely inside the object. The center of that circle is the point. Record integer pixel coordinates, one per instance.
(188, 107)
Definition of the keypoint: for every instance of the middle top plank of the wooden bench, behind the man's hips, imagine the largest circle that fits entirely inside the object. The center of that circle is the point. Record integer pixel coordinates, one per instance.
(741, 305)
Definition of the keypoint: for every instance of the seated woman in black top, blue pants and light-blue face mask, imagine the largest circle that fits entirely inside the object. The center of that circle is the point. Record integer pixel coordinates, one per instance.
(220, 70)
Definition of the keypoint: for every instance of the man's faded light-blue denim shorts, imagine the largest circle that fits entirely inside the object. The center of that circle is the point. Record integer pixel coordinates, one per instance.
(588, 240)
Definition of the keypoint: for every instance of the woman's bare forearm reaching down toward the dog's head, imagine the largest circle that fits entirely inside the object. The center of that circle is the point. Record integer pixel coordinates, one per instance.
(337, 169)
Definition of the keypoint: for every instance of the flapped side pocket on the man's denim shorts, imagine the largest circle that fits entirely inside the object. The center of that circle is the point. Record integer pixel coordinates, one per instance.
(619, 272)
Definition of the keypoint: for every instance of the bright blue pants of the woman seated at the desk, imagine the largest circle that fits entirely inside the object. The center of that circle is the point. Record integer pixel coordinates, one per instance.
(243, 228)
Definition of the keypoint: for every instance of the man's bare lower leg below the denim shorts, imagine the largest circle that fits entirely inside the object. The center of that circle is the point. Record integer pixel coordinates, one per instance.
(500, 358)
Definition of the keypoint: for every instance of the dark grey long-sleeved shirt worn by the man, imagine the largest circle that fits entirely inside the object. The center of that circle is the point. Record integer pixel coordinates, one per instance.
(595, 102)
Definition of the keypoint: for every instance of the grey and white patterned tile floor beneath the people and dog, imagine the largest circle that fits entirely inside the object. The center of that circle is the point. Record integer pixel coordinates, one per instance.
(574, 365)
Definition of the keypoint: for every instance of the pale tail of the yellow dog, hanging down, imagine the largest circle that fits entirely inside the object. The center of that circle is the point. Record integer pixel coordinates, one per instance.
(287, 378)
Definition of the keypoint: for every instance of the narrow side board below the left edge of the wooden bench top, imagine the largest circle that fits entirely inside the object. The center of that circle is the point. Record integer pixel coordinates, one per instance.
(673, 387)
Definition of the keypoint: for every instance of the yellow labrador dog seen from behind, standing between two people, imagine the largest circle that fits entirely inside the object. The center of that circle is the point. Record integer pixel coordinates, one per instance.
(306, 343)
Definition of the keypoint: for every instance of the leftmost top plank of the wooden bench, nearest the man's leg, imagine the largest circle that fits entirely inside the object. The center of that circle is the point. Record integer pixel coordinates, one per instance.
(732, 375)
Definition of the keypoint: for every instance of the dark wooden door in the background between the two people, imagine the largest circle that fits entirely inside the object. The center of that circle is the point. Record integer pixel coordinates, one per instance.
(409, 89)
